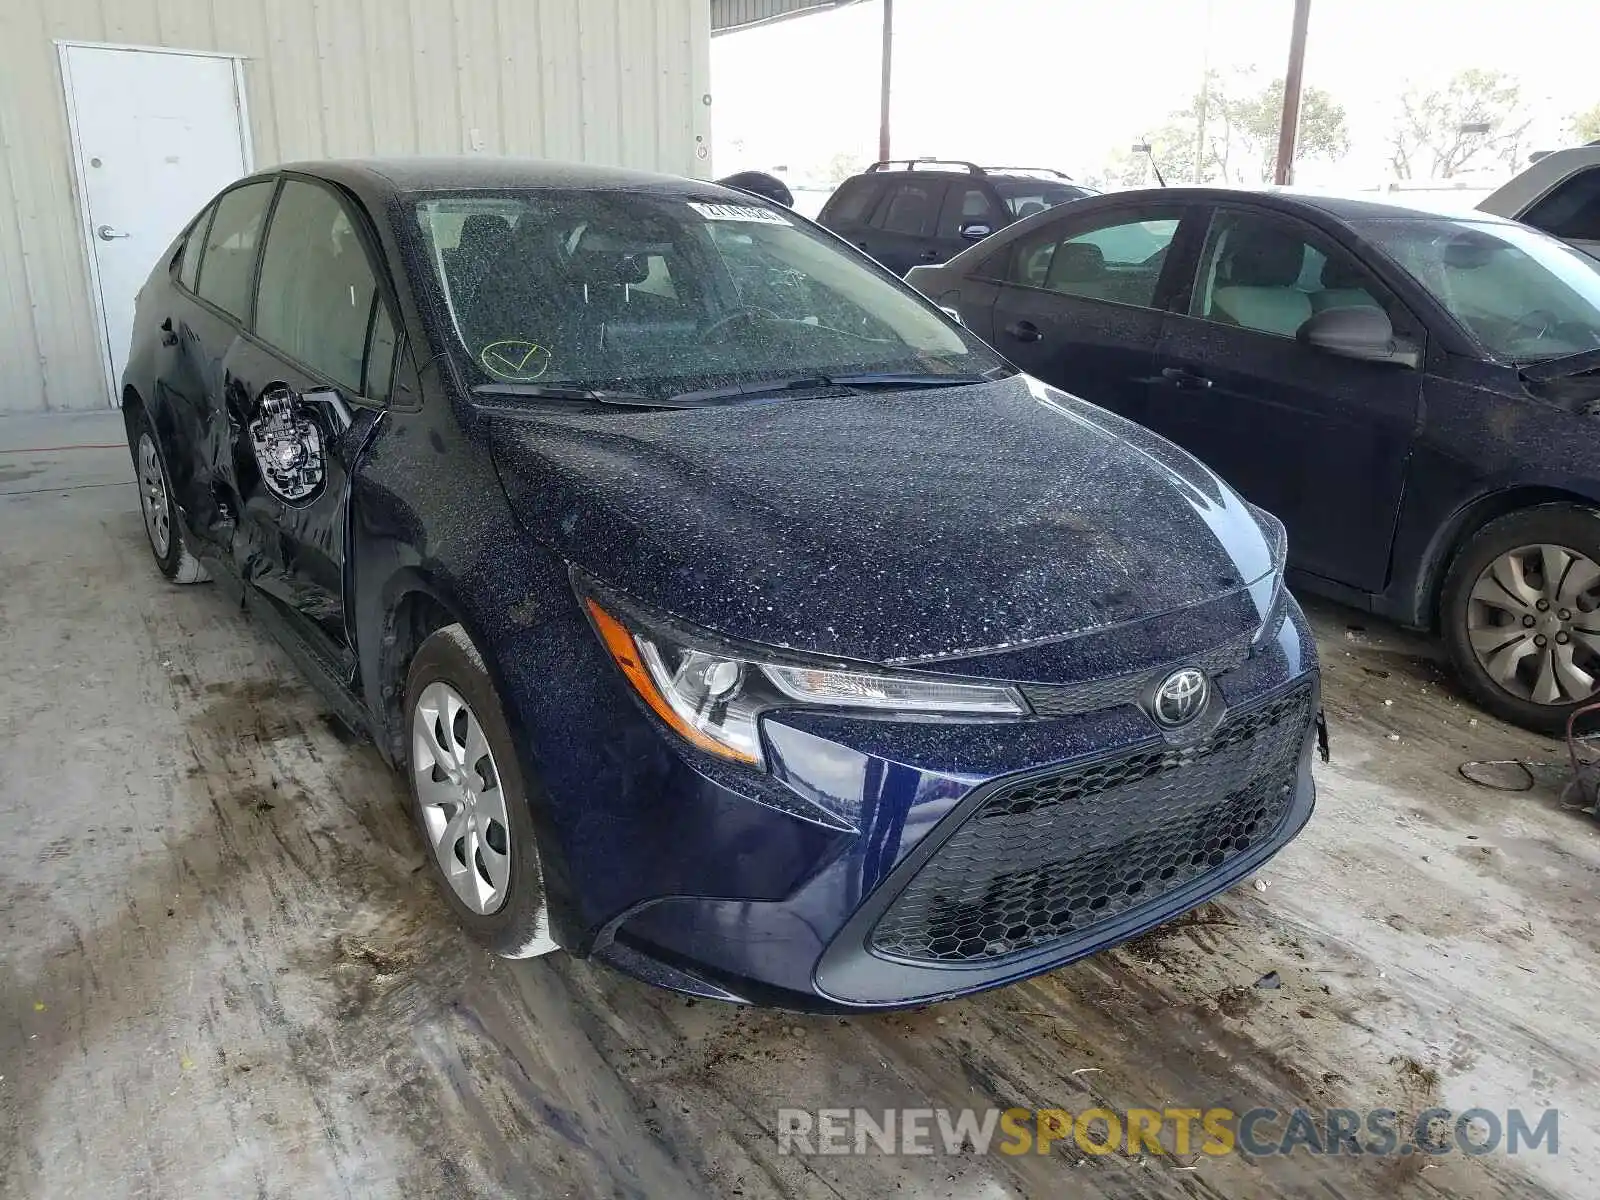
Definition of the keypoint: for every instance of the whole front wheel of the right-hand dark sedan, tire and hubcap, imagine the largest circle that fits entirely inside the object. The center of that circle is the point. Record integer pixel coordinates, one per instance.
(1545, 666)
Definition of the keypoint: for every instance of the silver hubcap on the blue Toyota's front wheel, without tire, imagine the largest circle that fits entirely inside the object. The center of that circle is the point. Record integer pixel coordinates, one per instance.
(463, 802)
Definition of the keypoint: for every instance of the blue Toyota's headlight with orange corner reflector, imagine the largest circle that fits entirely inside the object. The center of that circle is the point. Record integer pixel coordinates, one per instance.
(713, 697)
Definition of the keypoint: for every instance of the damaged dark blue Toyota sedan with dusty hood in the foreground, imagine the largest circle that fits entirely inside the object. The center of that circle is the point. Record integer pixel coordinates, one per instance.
(737, 618)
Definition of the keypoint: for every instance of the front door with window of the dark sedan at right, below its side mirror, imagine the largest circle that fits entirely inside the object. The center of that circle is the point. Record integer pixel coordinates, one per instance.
(1319, 441)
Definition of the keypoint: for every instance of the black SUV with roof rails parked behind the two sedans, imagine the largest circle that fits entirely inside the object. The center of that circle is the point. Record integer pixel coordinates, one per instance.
(908, 214)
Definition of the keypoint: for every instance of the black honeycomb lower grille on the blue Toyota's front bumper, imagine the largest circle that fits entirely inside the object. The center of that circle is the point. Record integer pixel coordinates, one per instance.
(1054, 857)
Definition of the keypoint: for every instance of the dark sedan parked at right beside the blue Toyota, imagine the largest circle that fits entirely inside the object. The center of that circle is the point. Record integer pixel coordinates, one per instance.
(1415, 396)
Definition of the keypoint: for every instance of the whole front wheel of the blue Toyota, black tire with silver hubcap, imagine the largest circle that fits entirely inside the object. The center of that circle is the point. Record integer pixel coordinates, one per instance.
(470, 799)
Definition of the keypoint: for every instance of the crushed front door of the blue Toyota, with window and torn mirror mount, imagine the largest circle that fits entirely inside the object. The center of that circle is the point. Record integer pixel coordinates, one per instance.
(311, 390)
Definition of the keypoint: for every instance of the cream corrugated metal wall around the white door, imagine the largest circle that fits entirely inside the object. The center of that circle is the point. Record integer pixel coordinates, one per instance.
(601, 81)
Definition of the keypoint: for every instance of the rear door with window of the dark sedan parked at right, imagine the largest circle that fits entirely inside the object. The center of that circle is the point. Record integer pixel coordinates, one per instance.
(1081, 302)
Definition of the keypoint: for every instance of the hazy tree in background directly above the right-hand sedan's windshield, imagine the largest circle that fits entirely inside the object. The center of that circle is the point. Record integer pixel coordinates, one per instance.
(1478, 119)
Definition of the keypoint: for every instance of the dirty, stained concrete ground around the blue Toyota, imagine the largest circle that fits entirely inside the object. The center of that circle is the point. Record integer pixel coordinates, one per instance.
(225, 972)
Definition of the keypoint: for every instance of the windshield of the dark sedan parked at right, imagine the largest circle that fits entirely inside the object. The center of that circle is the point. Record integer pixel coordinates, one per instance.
(1524, 295)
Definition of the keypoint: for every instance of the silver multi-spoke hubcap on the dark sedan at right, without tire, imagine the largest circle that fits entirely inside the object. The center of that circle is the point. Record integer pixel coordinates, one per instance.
(1534, 625)
